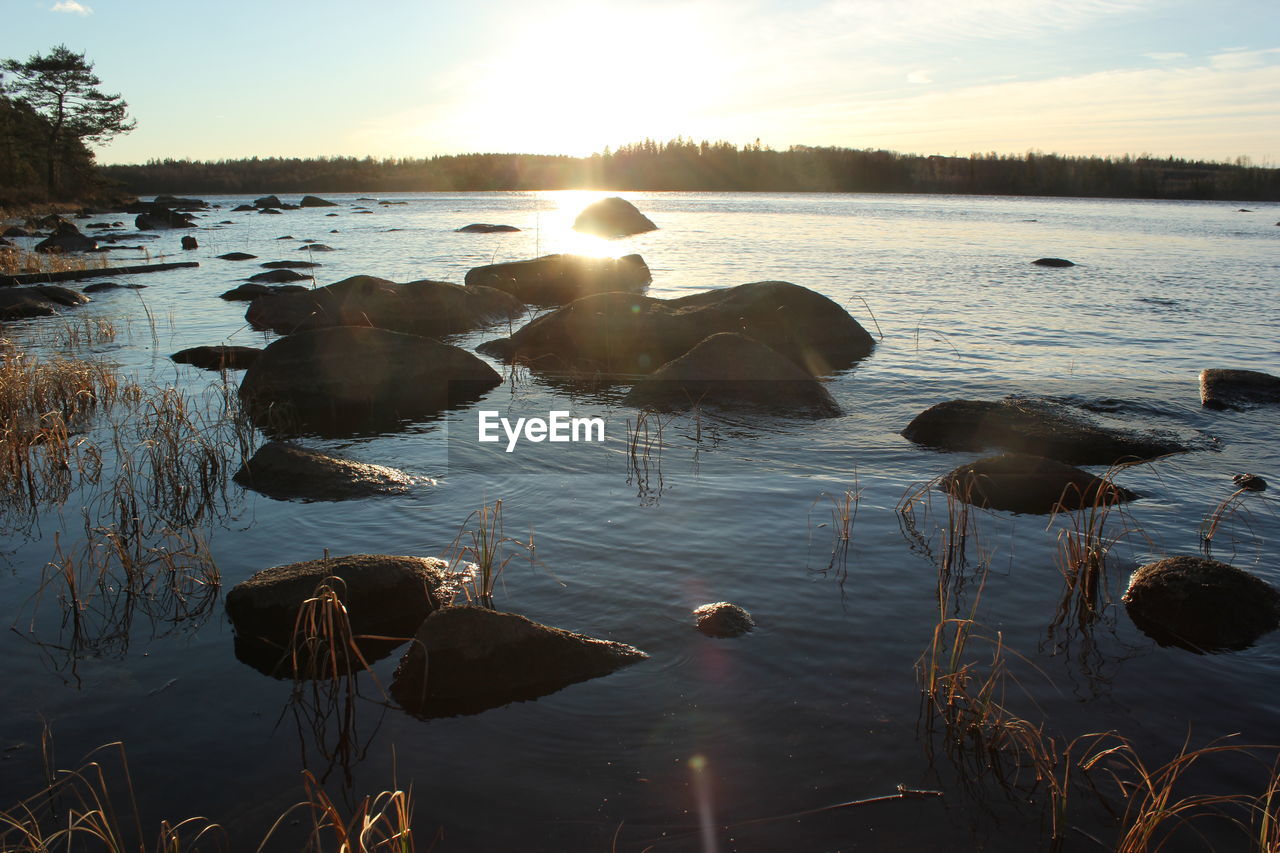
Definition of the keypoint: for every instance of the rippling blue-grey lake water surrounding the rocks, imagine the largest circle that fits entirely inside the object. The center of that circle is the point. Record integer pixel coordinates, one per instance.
(821, 704)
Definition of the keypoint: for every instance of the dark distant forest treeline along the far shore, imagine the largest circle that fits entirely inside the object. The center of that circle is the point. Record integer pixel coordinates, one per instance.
(688, 166)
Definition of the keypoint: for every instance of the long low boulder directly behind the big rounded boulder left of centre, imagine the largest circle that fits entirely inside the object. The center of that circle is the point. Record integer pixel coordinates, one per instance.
(417, 308)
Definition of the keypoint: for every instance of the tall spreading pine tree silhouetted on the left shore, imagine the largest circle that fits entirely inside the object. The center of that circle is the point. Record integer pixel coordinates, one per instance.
(61, 89)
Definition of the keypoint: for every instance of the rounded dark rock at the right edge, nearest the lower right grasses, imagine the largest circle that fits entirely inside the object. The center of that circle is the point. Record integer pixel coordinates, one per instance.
(1201, 605)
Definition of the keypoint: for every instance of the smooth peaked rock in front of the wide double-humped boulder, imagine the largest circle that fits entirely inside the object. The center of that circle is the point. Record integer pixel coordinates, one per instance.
(733, 371)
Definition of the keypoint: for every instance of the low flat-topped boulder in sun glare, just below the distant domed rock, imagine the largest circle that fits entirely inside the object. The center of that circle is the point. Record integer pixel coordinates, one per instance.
(557, 280)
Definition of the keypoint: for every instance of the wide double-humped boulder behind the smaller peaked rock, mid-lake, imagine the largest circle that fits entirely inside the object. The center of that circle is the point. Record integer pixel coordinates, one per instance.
(625, 334)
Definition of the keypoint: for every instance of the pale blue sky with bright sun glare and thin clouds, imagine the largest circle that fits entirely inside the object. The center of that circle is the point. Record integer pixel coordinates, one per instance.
(239, 79)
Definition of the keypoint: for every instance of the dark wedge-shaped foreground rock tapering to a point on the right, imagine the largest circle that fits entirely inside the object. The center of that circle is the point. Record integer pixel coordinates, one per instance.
(467, 660)
